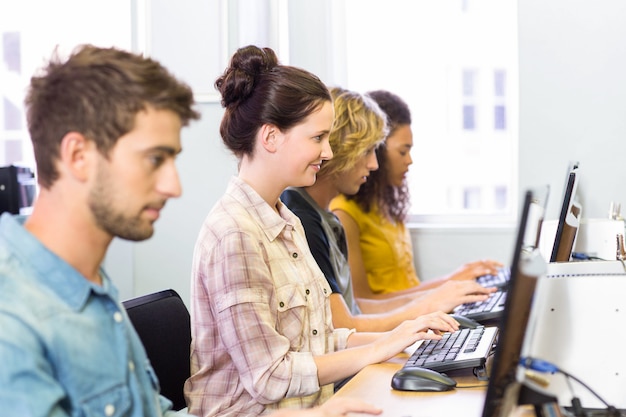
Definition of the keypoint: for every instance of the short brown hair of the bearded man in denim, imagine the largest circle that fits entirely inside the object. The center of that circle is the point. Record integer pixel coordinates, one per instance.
(97, 92)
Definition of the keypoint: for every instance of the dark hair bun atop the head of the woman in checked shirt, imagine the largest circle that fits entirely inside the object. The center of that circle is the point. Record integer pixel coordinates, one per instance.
(246, 66)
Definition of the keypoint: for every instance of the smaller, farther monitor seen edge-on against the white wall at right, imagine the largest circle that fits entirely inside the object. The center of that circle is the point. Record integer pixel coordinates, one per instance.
(569, 219)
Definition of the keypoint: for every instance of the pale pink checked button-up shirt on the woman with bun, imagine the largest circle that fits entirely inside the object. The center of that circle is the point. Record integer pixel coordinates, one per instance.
(259, 311)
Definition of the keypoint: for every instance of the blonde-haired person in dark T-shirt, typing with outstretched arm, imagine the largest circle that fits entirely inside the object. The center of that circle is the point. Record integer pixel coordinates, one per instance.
(358, 129)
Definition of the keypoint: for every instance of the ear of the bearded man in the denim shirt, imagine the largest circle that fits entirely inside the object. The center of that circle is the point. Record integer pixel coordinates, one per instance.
(76, 155)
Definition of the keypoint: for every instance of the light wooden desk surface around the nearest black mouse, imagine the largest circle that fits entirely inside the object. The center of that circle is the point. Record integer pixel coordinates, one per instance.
(373, 384)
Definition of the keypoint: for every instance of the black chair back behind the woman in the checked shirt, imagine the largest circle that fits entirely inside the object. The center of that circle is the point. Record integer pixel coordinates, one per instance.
(162, 321)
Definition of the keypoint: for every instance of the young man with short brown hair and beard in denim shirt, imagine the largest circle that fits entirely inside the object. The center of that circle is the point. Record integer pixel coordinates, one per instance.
(105, 126)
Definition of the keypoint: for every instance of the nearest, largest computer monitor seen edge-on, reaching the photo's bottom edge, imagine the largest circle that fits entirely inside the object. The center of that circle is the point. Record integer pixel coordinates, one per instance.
(503, 391)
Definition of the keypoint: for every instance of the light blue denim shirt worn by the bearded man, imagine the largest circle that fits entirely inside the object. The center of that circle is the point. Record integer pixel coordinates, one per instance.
(67, 347)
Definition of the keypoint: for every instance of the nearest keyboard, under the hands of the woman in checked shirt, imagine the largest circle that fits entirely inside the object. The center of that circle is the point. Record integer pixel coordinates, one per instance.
(465, 348)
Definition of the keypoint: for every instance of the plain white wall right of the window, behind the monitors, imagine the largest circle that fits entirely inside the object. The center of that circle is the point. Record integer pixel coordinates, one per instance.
(573, 98)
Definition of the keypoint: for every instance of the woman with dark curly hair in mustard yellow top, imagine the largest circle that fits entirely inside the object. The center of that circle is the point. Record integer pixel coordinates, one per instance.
(381, 254)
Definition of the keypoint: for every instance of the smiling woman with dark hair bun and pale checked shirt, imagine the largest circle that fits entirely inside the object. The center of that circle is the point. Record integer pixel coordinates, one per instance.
(262, 329)
